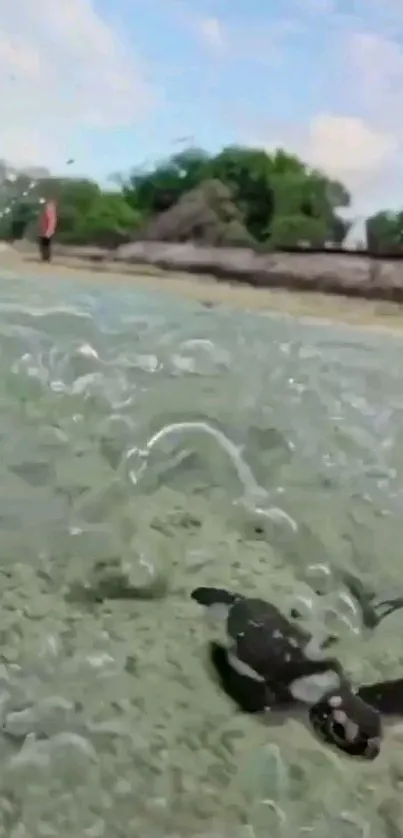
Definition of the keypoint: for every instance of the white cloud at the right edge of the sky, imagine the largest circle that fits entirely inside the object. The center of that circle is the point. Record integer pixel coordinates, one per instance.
(373, 141)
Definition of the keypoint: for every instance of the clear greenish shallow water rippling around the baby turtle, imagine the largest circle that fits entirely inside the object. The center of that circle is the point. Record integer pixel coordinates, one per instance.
(148, 445)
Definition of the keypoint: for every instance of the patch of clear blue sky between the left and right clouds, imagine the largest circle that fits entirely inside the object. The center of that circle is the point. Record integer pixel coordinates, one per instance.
(264, 67)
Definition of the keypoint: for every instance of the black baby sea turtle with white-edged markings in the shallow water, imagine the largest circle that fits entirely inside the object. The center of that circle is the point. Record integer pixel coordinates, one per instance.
(271, 663)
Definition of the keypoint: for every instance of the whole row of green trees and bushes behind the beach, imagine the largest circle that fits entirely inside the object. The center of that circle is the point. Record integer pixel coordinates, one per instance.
(241, 196)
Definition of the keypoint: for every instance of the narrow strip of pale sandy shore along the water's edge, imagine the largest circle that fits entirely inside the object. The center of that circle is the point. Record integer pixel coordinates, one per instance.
(358, 312)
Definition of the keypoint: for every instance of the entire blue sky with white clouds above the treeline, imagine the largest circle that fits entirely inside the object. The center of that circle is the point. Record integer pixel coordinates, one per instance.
(115, 84)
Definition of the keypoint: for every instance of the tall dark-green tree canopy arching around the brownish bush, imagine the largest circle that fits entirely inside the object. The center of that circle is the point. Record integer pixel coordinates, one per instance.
(273, 193)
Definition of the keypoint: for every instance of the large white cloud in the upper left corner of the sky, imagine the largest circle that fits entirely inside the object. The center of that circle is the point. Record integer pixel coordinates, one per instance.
(63, 69)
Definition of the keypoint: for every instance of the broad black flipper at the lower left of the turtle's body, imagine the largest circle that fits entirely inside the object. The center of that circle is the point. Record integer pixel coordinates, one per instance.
(248, 695)
